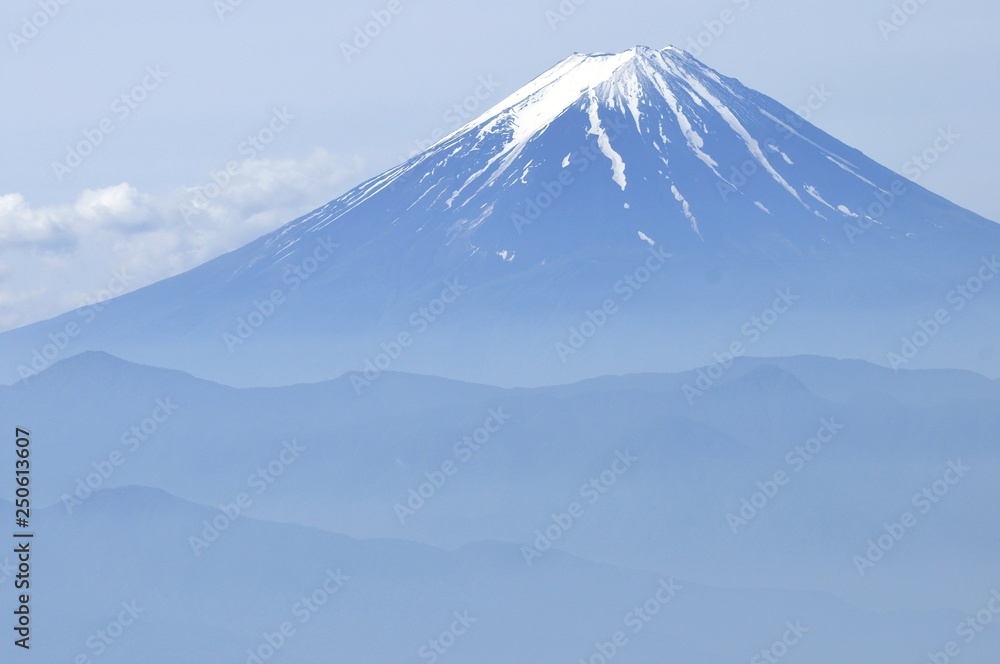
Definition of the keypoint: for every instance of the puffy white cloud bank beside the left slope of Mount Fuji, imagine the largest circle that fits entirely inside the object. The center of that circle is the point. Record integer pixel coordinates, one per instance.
(52, 259)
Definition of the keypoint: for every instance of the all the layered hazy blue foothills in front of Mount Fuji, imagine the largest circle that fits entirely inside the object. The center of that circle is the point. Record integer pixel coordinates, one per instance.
(289, 484)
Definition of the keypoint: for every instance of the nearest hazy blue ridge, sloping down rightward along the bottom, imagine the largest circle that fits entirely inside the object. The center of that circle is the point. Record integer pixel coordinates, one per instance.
(123, 586)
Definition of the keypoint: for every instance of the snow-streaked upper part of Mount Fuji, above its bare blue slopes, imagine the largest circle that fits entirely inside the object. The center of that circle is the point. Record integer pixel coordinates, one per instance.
(674, 138)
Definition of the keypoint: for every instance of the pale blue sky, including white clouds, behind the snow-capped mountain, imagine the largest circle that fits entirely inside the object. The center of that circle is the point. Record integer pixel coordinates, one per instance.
(891, 94)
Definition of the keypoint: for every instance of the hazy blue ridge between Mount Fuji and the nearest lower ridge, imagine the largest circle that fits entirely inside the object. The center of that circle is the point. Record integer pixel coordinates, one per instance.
(494, 464)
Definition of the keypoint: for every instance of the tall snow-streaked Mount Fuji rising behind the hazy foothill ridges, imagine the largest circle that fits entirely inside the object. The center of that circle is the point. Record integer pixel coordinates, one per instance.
(623, 212)
